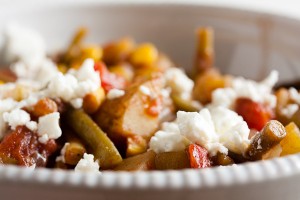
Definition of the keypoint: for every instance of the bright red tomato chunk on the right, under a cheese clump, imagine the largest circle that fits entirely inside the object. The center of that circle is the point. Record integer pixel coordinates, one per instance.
(255, 114)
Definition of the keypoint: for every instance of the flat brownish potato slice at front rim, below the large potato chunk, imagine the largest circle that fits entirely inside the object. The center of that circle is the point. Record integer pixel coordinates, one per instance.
(144, 161)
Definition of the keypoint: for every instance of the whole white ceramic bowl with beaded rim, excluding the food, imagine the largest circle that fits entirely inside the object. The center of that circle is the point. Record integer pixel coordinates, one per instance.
(248, 43)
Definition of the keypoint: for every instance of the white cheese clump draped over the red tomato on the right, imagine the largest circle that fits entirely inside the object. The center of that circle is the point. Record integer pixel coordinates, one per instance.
(241, 87)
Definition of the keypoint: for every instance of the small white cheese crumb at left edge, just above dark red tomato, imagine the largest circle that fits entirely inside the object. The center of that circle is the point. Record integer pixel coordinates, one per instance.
(16, 117)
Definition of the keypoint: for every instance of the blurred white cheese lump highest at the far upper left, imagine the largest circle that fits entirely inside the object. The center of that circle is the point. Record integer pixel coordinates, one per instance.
(23, 44)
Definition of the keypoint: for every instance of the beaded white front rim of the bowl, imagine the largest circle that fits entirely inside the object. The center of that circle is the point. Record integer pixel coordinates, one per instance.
(214, 177)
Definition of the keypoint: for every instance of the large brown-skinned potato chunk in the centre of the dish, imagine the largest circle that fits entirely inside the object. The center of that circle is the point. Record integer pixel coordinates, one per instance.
(134, 114)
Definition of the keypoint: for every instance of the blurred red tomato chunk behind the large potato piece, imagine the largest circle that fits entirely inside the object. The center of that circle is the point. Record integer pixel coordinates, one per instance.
(109, 80)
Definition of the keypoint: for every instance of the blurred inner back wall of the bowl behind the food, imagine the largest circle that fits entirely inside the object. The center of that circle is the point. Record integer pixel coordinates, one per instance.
(247, 43)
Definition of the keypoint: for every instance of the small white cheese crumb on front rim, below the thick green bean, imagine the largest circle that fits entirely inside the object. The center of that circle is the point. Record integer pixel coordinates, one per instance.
(87, 164)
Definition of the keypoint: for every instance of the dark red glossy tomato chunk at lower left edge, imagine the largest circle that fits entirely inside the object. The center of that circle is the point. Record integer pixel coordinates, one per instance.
(21, 147)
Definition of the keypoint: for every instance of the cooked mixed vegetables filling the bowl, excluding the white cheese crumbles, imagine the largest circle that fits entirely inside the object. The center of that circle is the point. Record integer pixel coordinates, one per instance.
(117, 131)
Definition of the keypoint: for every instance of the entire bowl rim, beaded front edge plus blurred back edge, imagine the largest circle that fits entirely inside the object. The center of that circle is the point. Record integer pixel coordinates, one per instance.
(247, 173)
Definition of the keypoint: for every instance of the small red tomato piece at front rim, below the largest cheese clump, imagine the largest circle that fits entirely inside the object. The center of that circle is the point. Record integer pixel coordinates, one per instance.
(198, 156)
